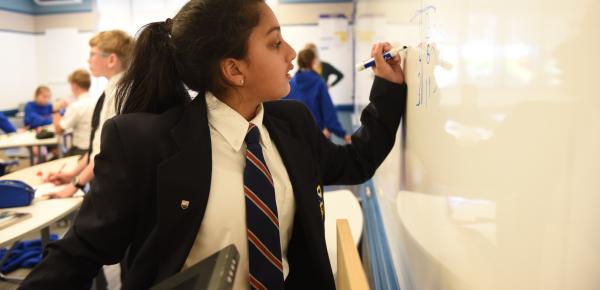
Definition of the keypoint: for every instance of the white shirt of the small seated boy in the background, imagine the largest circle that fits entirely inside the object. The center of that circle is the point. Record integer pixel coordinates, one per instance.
(78, 116)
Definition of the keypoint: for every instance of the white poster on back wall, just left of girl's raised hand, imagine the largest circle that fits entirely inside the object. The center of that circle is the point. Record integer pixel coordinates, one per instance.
(335, 48)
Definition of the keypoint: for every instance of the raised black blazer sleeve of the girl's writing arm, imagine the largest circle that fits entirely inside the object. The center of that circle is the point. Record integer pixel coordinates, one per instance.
(356, 162)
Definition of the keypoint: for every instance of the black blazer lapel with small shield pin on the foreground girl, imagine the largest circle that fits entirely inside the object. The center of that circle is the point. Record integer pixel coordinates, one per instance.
(183, 185)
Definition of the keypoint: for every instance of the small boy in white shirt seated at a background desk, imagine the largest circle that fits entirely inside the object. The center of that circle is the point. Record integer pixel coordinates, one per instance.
(78, 115)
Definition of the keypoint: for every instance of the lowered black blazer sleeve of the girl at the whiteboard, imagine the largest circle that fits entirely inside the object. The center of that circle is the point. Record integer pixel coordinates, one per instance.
(103, 228)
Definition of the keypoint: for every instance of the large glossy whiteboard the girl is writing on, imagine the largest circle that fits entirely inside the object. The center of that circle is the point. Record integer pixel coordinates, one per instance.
(497, 186)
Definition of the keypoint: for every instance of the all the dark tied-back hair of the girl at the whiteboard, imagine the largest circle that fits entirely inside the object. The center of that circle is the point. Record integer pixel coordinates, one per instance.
(186, 52)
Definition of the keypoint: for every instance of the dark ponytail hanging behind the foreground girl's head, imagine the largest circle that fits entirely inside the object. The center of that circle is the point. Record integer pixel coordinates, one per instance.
(151, 83)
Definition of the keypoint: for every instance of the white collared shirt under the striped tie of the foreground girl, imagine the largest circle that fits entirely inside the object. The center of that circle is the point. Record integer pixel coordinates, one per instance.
(225, 217)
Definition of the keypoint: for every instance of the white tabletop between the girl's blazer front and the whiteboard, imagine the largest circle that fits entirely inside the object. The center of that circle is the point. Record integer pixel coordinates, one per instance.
(341, 204)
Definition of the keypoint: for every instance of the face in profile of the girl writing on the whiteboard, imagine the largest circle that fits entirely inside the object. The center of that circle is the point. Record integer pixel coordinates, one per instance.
(269, 59)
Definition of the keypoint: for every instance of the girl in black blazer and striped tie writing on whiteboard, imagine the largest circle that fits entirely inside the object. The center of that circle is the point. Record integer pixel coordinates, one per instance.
(177, 180)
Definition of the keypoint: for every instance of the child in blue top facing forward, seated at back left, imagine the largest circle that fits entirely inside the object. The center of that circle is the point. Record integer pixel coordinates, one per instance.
(39, 112)
